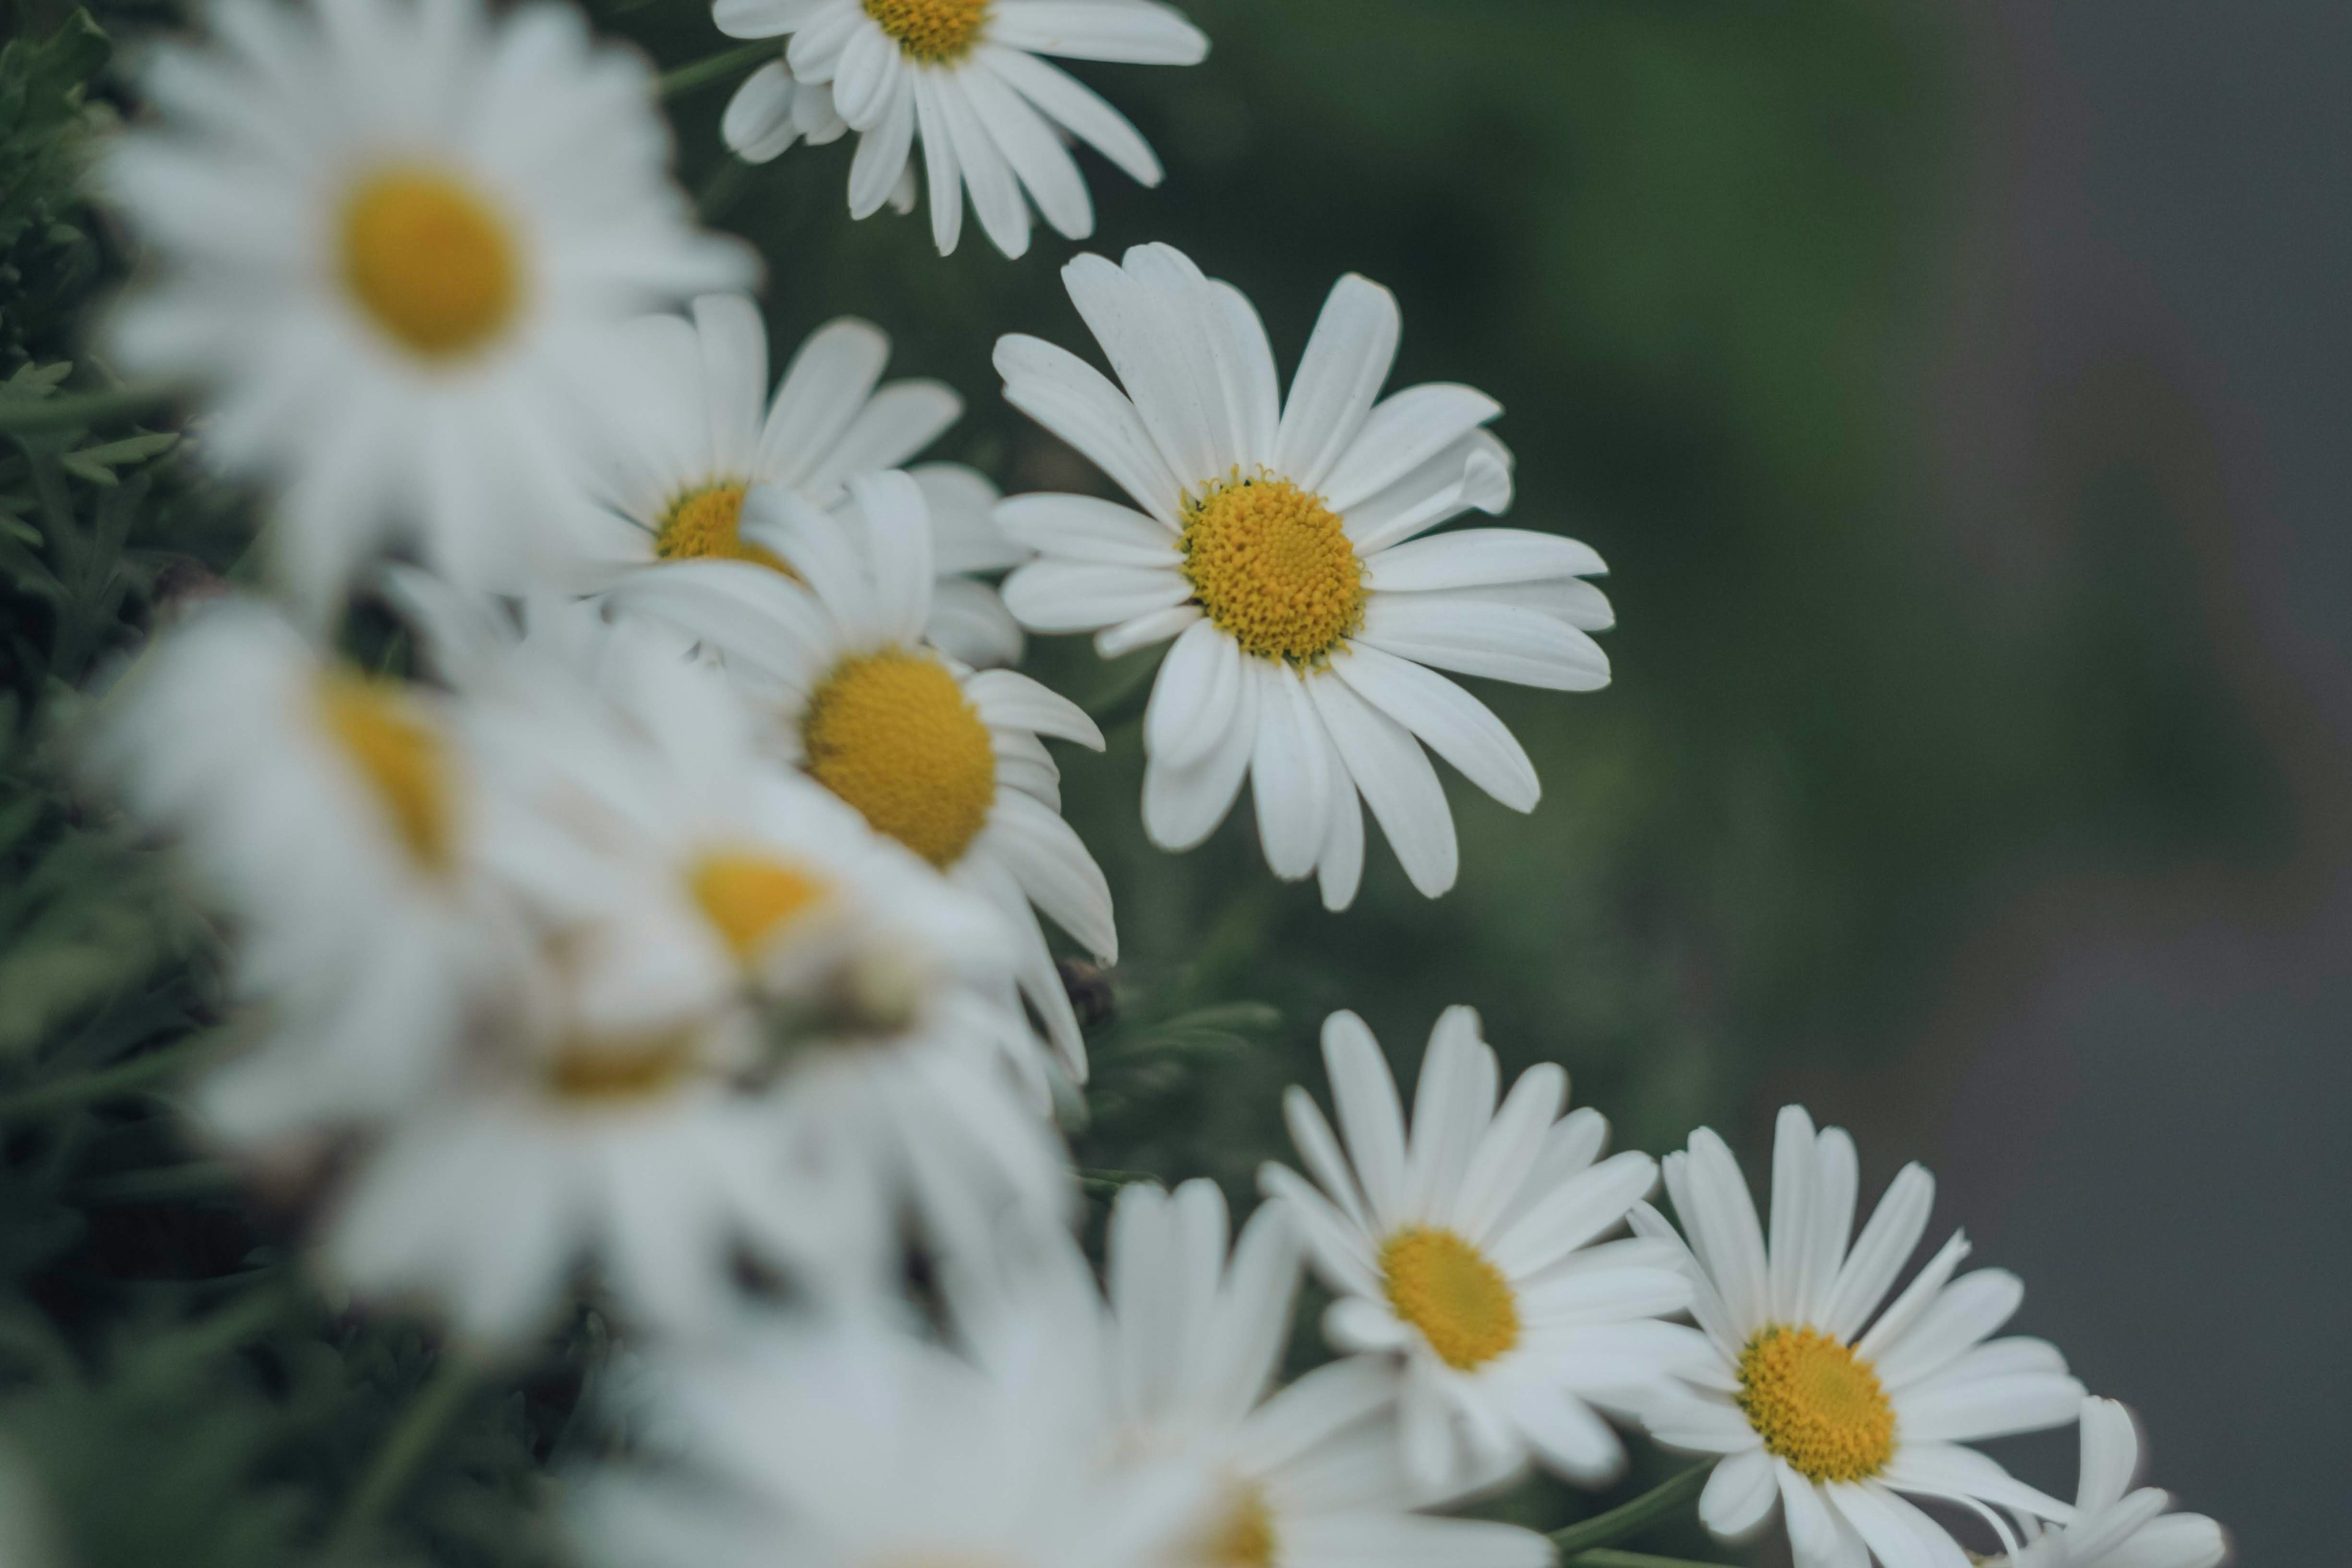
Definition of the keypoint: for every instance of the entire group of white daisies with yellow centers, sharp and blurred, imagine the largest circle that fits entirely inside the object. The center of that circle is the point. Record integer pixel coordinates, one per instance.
(667, 923)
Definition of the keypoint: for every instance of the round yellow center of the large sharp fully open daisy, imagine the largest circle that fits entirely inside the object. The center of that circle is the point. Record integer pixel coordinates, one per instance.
(1274, 568)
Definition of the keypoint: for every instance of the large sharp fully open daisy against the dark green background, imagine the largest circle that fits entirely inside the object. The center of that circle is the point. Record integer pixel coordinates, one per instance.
(1278, 544)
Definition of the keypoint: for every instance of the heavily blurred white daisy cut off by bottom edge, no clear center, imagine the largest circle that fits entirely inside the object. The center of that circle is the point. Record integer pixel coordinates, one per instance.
(853, 1447)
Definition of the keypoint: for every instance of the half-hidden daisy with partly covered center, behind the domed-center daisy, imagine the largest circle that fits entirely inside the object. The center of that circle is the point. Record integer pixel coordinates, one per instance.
(704, 429)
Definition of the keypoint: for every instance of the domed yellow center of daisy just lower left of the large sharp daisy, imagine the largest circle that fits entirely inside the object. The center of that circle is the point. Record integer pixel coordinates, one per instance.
(895, 737)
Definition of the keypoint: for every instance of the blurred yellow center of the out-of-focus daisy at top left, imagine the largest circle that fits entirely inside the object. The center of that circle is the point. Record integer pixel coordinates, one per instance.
(432, 262)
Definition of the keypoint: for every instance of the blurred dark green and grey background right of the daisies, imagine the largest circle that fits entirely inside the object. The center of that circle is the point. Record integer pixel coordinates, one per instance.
(1960, 398)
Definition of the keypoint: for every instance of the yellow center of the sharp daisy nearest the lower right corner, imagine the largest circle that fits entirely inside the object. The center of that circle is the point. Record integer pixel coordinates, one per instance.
(1817, 1405)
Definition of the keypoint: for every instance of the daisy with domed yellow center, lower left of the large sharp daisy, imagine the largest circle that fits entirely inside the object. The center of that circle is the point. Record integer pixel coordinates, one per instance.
(942, 758)
